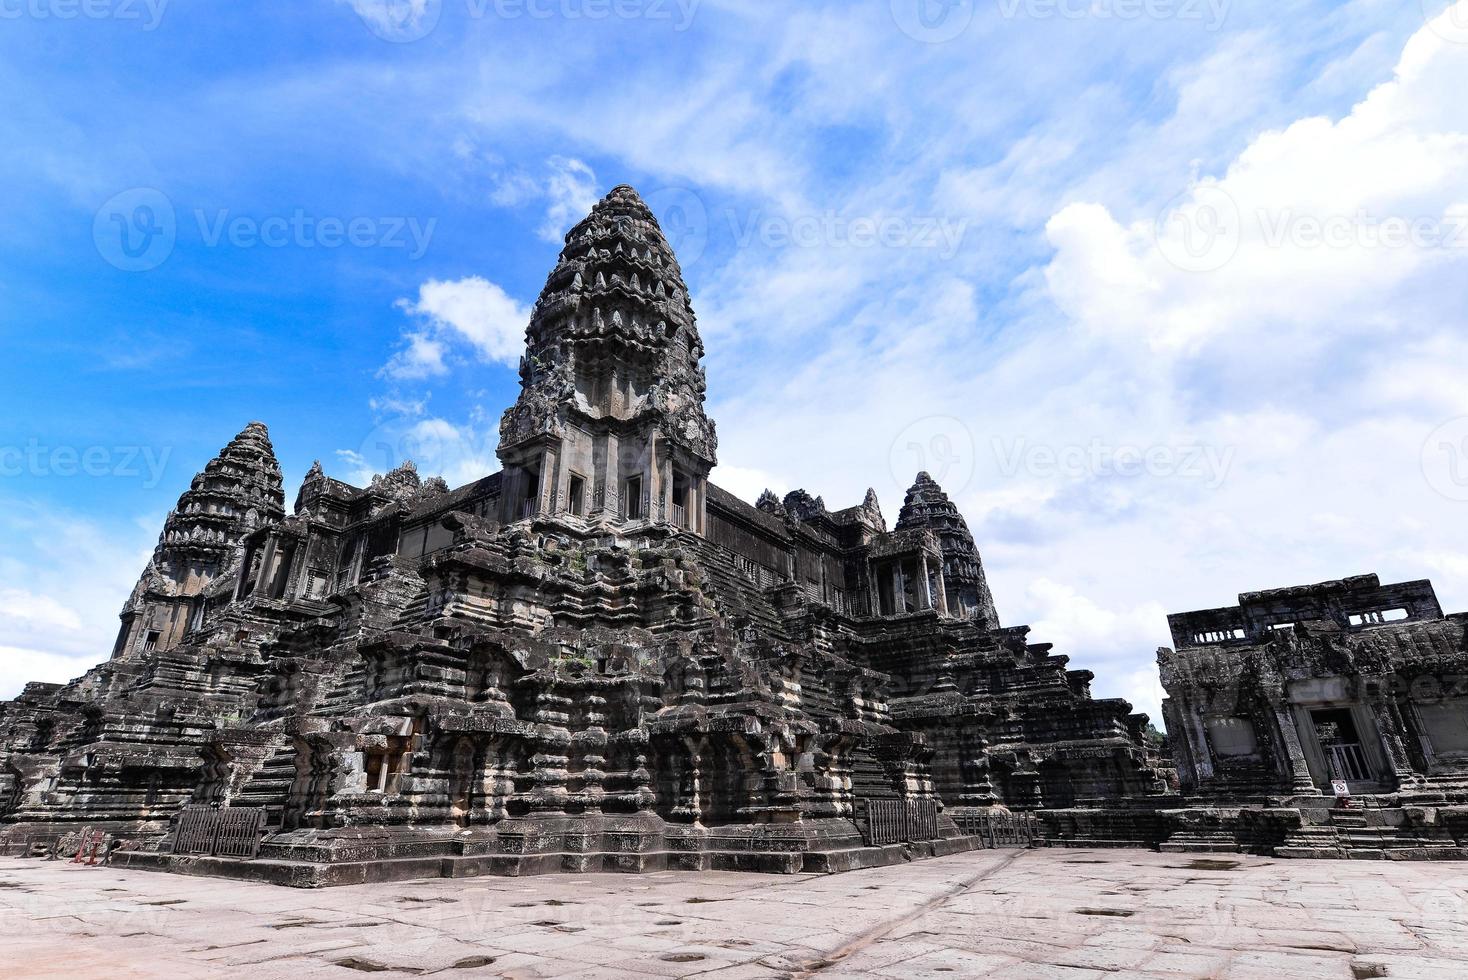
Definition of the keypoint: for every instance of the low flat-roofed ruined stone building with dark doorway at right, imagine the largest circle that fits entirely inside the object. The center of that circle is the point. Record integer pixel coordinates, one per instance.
(1278, 701)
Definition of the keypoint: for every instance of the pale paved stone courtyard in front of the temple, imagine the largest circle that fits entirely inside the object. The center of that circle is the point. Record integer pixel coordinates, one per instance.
(1049, 913)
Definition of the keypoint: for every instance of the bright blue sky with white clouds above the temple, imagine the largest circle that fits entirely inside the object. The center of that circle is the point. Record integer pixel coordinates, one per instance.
(970, 235)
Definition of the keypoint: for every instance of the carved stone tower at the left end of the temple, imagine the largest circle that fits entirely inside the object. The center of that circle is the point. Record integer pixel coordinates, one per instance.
(237, 492)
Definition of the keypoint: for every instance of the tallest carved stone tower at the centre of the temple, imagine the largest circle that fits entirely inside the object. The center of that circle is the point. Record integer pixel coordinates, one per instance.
(610, 426)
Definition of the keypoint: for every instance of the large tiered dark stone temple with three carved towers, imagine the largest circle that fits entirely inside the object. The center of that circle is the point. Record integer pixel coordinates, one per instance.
(592, 659)
